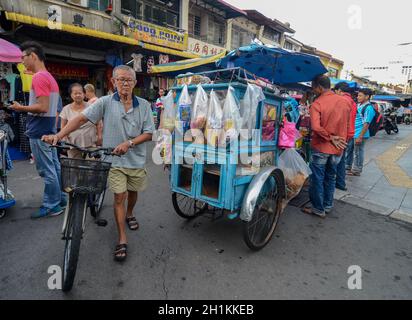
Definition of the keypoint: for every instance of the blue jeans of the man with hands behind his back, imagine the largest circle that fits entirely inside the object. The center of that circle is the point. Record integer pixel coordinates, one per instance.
(322, 180)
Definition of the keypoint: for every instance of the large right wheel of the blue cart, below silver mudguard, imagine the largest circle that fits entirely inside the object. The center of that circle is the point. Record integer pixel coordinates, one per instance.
(258, 232)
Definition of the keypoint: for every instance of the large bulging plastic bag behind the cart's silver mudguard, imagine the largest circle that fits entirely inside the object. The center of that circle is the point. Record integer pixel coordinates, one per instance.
(295, 170)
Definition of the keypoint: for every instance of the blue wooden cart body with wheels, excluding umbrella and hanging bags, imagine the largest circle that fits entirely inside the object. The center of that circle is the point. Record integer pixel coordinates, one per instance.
(208, 178)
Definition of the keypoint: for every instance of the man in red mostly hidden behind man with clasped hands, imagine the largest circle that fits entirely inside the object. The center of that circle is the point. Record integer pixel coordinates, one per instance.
(342, 89)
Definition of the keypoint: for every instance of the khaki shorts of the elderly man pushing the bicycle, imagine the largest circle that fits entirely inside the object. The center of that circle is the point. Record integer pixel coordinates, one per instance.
(122, 180)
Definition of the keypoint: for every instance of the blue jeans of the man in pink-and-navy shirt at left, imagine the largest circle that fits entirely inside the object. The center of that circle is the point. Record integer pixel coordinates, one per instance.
(48, 167)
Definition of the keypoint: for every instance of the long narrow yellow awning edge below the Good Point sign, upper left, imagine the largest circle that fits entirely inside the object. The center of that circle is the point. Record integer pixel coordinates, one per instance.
(12, 16)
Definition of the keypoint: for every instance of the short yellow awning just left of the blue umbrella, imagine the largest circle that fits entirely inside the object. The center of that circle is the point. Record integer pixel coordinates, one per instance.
(190, 65)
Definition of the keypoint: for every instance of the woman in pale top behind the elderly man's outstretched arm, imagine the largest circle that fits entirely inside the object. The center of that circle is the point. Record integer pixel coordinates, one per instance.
(87, 135)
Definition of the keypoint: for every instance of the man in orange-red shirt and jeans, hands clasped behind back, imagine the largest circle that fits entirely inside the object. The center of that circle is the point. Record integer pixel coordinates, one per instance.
(330, 118)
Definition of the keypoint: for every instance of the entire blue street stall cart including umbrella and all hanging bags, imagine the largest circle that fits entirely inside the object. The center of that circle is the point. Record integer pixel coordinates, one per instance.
(231, 152)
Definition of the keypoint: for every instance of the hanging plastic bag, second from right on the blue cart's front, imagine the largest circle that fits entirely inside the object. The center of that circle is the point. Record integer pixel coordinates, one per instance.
(232, 121)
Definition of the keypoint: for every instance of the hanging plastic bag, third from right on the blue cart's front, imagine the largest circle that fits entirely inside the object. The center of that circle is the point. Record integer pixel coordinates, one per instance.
(214, 124)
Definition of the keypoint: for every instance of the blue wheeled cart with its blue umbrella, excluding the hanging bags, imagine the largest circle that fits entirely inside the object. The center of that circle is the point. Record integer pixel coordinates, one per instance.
(208, 178)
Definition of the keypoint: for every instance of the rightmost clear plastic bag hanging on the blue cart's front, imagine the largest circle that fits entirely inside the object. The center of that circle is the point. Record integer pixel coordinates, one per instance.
(248, 107)
